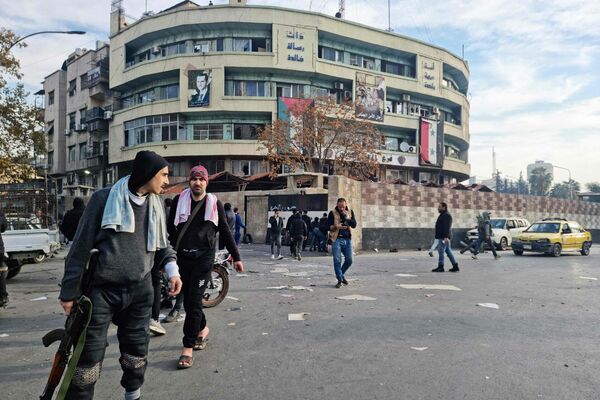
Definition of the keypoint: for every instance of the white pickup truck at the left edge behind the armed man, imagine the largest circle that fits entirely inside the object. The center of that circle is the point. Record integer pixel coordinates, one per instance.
(26, 242)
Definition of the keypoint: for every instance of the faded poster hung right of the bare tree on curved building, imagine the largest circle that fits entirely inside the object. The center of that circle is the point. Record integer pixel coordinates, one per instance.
(370, 97)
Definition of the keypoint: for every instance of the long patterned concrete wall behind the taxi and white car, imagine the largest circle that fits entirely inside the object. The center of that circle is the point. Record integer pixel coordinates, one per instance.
(399, 216)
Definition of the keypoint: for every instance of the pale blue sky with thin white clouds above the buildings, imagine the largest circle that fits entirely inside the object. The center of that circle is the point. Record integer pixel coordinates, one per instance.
(534, 88)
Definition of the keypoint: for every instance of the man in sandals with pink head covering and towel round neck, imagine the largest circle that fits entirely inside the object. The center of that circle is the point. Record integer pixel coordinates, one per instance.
(195, 219)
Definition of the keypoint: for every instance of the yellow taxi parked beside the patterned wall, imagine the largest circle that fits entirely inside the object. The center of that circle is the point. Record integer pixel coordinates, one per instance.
(553, 236)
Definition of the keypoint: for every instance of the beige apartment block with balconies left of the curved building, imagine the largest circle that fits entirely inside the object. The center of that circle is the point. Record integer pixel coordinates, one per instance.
(77, 97)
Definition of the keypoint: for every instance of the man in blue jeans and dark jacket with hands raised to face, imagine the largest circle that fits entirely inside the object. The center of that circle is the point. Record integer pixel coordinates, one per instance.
(341, 221)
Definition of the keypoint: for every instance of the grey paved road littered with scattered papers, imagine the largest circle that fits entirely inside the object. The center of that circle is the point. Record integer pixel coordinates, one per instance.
(542, 342)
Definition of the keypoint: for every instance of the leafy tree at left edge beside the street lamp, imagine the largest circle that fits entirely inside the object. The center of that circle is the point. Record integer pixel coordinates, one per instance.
(21, 134)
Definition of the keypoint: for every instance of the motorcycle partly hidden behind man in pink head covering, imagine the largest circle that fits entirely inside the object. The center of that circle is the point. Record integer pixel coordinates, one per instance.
(216, 289)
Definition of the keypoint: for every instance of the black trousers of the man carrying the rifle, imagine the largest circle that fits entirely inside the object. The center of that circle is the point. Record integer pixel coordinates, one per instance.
(129, 308)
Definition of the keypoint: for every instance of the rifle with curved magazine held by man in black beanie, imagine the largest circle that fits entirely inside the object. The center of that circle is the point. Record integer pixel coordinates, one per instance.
(72, 336)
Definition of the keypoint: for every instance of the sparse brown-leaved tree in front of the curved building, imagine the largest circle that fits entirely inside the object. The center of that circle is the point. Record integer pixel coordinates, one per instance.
(319, 133)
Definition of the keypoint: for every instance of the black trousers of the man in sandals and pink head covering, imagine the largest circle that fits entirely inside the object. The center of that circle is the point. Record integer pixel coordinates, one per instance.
(195, 276)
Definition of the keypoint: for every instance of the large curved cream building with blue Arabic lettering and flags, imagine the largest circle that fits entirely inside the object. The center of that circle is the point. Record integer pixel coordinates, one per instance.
(195, 84)
